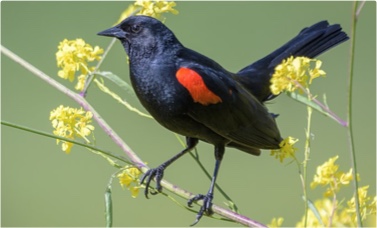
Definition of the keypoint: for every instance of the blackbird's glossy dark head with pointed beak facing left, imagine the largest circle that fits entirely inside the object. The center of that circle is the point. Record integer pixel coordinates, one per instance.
(142, 36)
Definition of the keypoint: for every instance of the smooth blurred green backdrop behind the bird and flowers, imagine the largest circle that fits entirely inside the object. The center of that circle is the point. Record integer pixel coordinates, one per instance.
(43, 186)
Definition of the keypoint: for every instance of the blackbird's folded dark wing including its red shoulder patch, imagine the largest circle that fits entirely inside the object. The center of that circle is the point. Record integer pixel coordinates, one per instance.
(222, 105)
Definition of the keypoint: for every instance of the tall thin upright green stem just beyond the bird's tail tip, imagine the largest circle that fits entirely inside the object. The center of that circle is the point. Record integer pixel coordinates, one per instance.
(349, 113)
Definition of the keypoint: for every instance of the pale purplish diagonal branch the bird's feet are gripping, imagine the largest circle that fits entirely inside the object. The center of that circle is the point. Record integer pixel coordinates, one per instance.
(118, 140)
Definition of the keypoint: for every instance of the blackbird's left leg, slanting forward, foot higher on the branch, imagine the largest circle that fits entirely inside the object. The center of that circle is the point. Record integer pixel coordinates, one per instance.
(158, 172)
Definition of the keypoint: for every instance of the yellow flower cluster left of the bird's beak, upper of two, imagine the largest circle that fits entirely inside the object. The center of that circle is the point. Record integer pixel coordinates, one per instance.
(73, 56)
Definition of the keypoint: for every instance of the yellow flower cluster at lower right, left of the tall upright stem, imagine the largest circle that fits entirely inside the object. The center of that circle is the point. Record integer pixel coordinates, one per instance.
(328, 175)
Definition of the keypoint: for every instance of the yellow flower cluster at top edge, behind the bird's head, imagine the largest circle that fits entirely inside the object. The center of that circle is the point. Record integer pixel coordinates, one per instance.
(149, 8)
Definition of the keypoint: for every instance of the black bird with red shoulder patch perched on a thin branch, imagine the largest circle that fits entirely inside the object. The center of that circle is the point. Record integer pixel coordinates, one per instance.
(192, 95)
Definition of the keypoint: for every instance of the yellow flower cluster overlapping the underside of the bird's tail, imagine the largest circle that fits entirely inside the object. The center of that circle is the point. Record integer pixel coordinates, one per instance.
(293, 73)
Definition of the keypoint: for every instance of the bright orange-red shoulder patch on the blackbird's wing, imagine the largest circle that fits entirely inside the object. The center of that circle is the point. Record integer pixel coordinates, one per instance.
(198, 90)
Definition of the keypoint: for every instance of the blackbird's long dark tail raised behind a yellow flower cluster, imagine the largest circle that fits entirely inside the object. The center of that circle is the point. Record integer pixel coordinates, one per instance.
(310, 42)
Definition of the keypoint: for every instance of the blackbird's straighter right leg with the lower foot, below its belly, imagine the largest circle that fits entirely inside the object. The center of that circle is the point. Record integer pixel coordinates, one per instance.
(207, 199)
